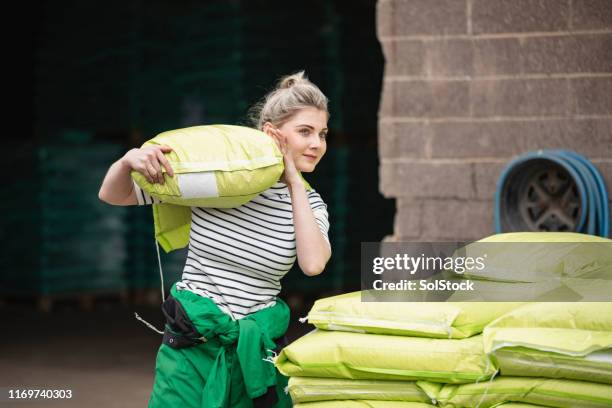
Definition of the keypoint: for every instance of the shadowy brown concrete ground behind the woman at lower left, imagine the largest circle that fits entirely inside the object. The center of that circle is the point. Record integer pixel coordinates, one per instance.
(105, 356)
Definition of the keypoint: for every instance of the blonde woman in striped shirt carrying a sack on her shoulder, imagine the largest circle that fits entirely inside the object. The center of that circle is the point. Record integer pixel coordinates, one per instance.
(225, 308)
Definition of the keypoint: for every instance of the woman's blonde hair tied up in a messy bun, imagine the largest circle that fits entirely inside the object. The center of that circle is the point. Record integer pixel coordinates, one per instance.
(292, 93)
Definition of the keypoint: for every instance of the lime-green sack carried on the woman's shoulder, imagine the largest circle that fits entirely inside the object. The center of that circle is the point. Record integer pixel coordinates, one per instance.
(218, 166)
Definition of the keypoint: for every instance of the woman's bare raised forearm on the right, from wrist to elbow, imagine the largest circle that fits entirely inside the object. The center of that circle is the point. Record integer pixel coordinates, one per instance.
(313, 251)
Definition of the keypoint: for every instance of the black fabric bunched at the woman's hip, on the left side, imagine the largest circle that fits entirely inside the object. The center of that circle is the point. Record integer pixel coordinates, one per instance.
(180, 332)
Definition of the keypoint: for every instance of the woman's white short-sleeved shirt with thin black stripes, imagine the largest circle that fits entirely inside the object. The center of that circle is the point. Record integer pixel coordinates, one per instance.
(237, 256)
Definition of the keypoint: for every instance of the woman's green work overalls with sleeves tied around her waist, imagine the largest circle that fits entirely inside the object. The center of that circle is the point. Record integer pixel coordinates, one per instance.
(231, 364)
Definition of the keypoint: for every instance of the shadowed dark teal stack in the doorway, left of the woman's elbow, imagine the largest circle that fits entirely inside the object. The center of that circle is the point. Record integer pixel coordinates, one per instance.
(82, 239)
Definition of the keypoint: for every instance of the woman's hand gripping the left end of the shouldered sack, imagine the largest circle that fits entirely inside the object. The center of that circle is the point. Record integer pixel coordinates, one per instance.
(148, 161)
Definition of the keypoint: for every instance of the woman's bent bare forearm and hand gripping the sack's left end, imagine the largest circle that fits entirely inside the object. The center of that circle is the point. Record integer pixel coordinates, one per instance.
(118, 188)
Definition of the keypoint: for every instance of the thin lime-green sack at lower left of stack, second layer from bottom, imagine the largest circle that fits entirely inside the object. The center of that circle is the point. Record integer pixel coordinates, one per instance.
(309, 389)
